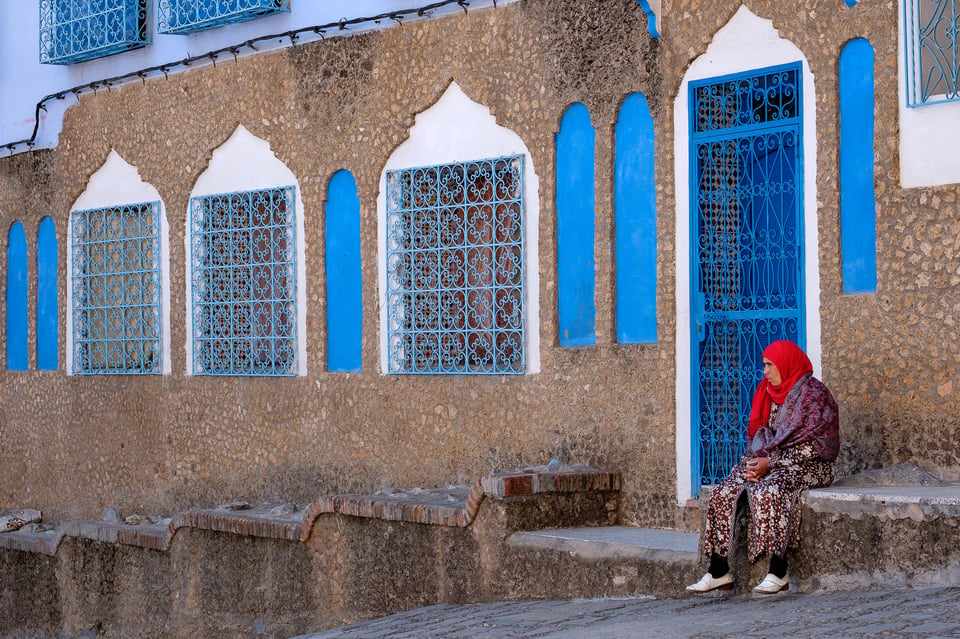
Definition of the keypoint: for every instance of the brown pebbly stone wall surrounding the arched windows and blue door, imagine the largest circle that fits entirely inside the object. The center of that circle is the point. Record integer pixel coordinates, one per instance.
(73, 445)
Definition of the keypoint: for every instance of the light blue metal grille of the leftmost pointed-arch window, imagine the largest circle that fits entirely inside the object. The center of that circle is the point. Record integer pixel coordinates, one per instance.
(115, 279)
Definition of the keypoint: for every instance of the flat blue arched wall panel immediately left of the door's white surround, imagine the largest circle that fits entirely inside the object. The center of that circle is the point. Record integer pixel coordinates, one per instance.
(635, 205)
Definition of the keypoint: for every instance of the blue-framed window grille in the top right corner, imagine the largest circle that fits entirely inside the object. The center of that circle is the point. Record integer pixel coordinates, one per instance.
(932, 48)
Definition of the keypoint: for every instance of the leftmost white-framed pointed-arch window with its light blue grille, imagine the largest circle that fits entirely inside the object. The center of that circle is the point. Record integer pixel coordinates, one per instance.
(118, 294)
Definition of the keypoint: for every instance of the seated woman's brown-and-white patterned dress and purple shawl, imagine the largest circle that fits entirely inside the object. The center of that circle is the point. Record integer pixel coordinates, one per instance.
(798, 461)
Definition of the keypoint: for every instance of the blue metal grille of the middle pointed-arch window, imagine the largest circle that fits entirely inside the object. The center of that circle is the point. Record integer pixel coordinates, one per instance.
(242, 252)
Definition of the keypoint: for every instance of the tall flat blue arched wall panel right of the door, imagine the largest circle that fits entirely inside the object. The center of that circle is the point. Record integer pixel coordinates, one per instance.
(858, 200)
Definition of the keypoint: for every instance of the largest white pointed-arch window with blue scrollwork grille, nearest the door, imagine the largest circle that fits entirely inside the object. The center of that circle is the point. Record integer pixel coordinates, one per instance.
(458, 240)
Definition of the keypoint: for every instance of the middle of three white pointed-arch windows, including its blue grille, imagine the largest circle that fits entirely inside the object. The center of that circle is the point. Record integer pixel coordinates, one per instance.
(246, 265)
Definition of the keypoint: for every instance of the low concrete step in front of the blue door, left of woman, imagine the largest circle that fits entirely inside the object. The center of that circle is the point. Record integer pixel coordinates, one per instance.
(614, 561)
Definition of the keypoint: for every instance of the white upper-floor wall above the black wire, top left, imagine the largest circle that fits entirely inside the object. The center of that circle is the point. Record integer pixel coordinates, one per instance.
(24, 81)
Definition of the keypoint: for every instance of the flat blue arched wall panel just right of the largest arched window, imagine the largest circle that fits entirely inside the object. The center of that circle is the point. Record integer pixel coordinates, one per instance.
(575, 228)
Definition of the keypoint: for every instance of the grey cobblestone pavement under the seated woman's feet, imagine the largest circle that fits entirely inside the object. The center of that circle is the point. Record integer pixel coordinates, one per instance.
(931, 613)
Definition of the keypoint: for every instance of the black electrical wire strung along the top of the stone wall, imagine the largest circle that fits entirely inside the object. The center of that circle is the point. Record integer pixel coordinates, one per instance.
(211, 57)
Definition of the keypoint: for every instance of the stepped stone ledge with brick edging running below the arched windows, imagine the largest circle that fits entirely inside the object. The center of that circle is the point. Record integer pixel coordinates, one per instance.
(276, 570)
